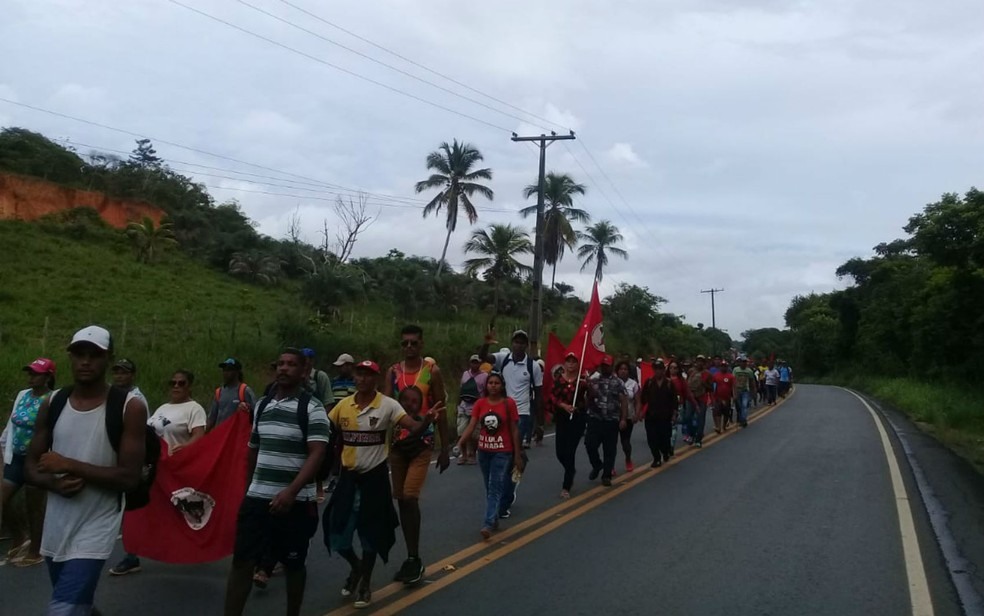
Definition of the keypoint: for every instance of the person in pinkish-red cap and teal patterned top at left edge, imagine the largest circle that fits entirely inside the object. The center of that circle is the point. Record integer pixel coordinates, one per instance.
(16, 439)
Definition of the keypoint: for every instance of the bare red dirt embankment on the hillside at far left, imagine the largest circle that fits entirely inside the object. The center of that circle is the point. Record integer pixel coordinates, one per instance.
(29, 199)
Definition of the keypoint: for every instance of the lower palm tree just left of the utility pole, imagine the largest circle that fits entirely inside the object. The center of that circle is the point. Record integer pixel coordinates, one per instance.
(499, 247)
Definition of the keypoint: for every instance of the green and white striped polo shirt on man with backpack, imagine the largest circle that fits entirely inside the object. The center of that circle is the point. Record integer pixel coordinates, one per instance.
(282, 447)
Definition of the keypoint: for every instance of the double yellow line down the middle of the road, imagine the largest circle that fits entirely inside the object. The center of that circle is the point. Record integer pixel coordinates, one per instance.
(503, 543)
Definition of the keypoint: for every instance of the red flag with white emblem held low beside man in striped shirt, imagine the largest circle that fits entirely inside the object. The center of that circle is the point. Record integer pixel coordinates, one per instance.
(191, 517)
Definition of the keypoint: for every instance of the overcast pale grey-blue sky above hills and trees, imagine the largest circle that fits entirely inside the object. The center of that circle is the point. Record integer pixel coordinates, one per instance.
(755, 144)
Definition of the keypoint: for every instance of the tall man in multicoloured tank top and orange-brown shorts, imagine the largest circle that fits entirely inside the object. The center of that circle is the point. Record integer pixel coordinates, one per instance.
(410, 452)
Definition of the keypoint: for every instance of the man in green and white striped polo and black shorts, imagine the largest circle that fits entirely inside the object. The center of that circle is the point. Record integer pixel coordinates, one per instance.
(279, 515)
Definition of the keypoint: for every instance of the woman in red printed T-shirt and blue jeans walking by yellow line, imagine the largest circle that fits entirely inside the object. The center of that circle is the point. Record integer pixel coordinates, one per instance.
(497, 419)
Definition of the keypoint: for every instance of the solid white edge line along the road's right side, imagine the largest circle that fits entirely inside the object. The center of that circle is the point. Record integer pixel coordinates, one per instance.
(920, 599)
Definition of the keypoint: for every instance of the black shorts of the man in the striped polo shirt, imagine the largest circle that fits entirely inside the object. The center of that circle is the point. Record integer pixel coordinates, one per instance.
(261, 535)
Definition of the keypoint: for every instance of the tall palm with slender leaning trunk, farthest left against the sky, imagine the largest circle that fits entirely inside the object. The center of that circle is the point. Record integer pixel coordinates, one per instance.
(455, 178)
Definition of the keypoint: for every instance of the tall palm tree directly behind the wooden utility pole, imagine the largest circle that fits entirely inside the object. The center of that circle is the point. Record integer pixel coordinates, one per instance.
(558, 232)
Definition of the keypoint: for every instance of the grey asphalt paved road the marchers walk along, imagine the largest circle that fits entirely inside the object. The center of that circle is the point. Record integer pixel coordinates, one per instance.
(795, 515)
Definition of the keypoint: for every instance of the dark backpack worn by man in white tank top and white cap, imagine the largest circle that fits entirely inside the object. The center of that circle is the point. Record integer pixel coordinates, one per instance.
(139, 496)
